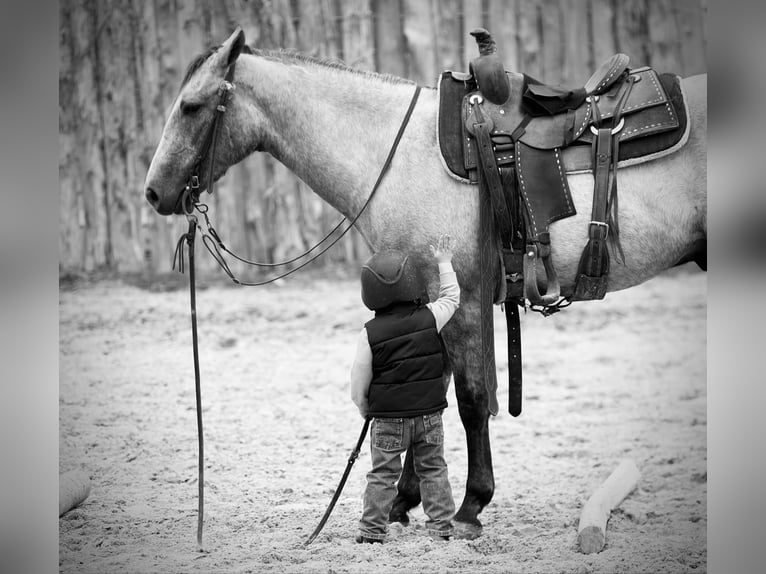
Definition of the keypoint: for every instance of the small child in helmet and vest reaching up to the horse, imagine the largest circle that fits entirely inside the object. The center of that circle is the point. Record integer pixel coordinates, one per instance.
(398, 379)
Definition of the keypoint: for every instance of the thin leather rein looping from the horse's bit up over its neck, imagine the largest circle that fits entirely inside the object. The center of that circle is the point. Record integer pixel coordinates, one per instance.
(212, 241)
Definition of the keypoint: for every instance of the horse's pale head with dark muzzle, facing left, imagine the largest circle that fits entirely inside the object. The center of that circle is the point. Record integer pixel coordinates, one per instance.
(183, 142)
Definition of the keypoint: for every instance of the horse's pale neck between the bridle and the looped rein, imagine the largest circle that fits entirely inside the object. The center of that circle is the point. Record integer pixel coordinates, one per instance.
(333, 128)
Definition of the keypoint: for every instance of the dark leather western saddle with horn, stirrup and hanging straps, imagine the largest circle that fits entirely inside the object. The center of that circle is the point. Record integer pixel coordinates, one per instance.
(518, 138)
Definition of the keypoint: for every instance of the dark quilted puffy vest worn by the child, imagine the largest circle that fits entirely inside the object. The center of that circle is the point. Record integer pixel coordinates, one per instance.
(407, 363)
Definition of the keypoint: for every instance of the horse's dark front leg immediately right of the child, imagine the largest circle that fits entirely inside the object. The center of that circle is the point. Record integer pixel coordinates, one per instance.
(463, 338)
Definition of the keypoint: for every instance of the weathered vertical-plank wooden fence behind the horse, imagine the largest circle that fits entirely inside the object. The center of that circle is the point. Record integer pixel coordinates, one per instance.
(121, 63)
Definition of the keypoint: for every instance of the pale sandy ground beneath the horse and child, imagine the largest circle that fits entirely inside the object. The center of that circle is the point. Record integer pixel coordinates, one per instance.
(623, 377)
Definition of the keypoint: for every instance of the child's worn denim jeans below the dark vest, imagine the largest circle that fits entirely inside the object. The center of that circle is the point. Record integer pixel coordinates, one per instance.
(389, 439)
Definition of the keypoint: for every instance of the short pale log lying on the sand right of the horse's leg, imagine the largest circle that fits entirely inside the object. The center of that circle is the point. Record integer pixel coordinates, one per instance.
(591, 532)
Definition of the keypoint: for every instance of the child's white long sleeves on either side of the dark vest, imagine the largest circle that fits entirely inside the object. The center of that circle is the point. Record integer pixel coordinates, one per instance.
(443, 309)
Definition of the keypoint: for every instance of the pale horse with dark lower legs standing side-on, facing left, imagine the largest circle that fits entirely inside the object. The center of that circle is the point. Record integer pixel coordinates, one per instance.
(333, 126)
